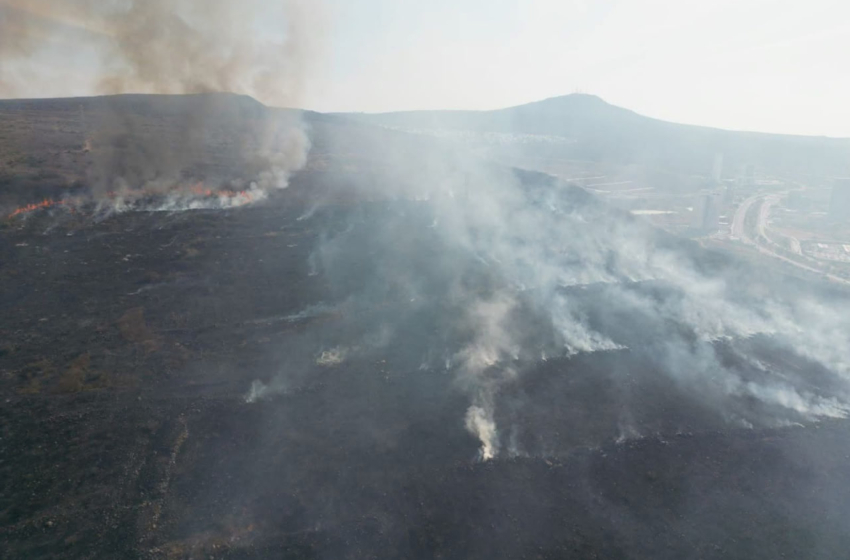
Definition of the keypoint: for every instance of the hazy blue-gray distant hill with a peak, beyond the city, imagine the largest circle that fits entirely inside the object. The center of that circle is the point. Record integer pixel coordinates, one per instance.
(601, 132)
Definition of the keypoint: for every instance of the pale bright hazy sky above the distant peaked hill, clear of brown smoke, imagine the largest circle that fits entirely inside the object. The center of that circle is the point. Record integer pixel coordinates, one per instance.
(767, 65)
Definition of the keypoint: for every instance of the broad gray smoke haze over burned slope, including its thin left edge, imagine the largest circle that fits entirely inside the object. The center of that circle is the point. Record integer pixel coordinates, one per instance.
(494, 275)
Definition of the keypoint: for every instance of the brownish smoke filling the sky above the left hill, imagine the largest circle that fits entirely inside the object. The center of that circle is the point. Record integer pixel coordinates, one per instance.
(262, 49)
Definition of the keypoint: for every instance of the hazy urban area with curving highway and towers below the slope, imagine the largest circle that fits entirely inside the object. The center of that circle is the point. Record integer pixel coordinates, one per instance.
(803, 224)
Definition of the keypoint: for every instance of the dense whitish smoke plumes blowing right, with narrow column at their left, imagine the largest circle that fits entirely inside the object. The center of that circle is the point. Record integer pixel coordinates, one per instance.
(546, 253)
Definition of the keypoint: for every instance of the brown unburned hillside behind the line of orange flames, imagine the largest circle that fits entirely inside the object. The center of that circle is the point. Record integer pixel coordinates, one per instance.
(58, 147)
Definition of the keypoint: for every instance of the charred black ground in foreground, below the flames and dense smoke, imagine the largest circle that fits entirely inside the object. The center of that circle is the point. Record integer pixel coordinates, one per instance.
(200, 384)
